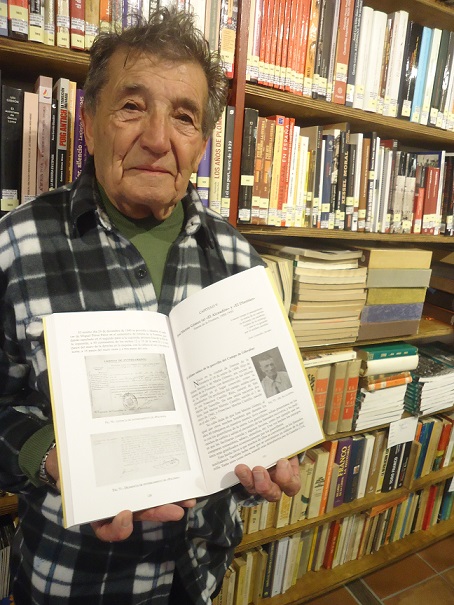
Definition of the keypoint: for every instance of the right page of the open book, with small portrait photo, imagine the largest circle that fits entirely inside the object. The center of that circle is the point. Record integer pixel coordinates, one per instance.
(247, 391)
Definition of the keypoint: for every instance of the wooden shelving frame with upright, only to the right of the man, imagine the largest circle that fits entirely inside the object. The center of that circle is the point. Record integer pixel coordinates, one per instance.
(310, 112)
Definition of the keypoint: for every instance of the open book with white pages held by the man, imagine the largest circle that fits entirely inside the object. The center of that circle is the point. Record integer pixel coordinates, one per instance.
(150, 409)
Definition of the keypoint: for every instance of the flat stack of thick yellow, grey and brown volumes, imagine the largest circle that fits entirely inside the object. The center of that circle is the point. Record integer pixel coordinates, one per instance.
(397, 279)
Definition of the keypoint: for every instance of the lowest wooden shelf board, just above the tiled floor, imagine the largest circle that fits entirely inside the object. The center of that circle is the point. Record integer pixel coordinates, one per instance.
(315, 583)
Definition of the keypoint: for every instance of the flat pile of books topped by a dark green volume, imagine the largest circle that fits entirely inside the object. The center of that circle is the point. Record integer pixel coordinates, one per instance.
(384, 376)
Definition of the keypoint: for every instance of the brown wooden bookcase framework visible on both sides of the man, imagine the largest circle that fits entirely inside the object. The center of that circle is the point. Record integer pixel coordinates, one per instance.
(24, 61)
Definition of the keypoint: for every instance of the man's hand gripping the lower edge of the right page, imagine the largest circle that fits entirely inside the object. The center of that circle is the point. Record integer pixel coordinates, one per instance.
(284, 477)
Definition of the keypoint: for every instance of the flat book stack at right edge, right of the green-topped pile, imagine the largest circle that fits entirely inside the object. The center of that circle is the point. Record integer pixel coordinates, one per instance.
(433, 380)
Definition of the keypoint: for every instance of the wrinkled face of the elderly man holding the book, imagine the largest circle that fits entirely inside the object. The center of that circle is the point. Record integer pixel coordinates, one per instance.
(146, 132)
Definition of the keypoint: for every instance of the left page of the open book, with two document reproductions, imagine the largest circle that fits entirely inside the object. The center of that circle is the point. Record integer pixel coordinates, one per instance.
(124, 437)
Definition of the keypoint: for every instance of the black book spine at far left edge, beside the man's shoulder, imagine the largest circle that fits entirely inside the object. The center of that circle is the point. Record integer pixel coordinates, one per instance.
(12, 100)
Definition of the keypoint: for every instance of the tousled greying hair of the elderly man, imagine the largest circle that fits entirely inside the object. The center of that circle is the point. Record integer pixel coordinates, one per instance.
(169, 35)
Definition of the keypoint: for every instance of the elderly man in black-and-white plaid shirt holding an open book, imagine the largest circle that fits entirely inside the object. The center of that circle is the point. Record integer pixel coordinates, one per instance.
(130, 233)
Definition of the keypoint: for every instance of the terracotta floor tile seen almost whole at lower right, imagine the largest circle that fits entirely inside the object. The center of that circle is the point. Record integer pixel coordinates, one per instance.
(398, 576)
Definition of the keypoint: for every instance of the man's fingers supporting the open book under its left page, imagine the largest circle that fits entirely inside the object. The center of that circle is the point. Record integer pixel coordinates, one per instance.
(120, 527)
